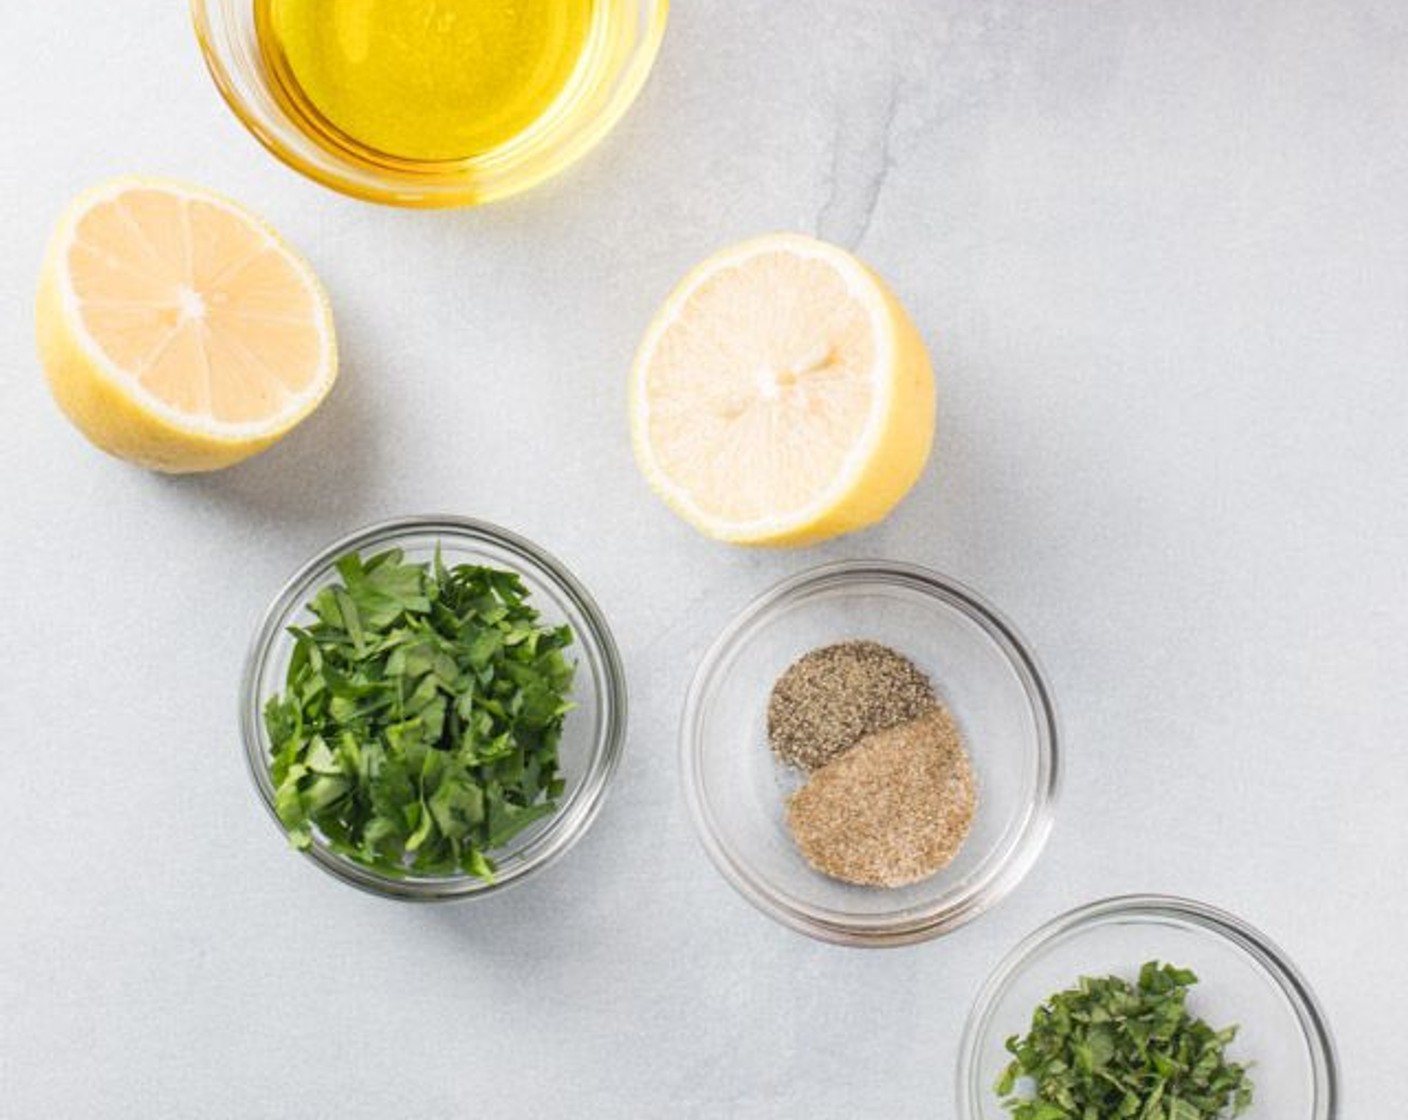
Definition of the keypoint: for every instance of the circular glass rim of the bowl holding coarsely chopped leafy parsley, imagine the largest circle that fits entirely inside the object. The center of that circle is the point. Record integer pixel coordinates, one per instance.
(578, 811)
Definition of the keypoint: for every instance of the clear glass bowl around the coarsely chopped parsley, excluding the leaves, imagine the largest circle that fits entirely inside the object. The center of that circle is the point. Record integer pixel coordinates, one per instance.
(593, 732)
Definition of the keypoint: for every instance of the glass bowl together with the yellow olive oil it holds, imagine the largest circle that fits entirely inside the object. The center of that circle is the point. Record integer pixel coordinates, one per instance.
(430, 102)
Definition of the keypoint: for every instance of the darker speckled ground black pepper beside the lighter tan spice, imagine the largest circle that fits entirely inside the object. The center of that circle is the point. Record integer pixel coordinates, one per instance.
(831, 698)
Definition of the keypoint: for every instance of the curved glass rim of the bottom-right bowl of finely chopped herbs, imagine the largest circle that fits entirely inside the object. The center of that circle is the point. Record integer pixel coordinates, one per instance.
(1259, 950)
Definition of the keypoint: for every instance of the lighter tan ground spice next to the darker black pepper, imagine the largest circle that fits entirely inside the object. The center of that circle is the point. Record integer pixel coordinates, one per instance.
(893, 809)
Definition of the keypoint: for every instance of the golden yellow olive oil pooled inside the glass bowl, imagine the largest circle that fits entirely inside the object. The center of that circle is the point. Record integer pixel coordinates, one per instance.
(422, 81)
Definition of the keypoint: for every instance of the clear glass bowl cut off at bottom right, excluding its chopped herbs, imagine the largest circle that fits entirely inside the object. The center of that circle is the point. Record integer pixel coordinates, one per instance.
(1243, 978)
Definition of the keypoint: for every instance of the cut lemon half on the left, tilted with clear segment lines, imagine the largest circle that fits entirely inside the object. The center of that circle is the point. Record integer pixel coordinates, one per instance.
(175, 328)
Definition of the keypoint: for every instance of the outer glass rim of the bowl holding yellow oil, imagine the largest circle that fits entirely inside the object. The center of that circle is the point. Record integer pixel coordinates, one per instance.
(406, 188)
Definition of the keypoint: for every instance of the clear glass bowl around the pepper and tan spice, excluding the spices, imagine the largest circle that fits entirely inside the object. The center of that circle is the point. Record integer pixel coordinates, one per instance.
(982, 670)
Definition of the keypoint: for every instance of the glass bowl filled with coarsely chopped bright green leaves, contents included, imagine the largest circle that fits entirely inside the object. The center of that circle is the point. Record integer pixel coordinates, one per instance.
(433, 708)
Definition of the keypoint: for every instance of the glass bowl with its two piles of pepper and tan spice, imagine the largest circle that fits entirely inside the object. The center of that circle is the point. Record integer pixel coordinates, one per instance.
(871, 754)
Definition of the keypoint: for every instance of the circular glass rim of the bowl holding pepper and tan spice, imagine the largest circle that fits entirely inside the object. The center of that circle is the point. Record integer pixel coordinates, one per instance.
(1037, 822)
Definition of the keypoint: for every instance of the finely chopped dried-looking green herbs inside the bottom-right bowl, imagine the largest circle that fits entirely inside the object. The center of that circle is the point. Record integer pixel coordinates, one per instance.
(1109, 1050)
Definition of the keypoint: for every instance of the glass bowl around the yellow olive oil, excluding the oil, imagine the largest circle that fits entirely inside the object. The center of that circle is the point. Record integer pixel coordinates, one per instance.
(617, 58)
